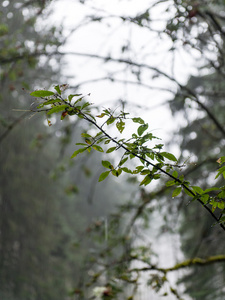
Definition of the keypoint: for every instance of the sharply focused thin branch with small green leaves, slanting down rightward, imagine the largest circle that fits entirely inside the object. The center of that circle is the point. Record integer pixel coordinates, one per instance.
(154, 161)
